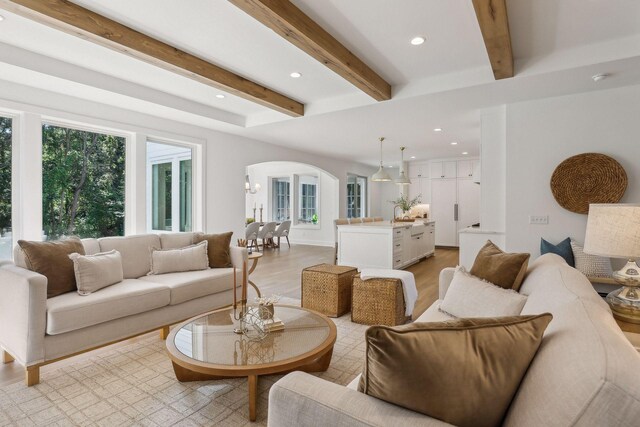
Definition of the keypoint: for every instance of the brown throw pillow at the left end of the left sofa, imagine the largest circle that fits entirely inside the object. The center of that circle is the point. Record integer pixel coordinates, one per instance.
(51, 259)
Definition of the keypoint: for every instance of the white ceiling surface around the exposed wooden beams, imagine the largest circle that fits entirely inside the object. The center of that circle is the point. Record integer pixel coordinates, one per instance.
(558, 45)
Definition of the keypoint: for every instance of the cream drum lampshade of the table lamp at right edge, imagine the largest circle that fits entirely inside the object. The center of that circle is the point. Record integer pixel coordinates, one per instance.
(613, 230)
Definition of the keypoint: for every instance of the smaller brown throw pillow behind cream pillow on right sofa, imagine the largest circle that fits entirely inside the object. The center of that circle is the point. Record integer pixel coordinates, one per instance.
(500, 268)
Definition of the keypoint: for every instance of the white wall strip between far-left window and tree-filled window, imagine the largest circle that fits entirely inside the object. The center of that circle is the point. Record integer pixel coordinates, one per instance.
(27, 178)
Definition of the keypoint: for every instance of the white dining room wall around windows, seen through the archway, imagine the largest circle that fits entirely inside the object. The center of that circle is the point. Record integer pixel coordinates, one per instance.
(328, 203)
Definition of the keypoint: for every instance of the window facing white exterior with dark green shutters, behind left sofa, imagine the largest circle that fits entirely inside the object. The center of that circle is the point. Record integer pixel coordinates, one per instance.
(170, 198)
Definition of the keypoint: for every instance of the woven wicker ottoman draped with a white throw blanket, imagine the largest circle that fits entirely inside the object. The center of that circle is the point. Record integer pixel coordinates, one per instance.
(377, 302)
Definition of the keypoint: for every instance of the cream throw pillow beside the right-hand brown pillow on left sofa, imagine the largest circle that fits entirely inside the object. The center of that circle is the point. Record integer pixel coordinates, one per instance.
(189, 258)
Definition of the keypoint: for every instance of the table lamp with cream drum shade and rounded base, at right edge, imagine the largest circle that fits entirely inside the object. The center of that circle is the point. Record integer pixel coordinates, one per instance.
(613, 231)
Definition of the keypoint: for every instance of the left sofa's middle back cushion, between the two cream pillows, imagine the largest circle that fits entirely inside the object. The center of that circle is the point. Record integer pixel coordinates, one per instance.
(135, 250)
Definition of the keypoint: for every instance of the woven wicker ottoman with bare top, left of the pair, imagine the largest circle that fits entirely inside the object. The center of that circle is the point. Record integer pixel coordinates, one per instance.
(327, 288)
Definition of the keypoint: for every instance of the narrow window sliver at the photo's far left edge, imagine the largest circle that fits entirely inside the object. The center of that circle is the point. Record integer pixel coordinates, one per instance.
(6, 242)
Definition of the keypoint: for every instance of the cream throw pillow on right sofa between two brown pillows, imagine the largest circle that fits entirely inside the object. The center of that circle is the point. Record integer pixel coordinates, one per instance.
(469, 296)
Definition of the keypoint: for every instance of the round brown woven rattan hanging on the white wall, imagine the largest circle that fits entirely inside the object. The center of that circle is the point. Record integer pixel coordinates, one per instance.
(588, 178)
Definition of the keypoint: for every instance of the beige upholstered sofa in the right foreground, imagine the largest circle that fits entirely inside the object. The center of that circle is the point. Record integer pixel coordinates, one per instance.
(586, 373)
